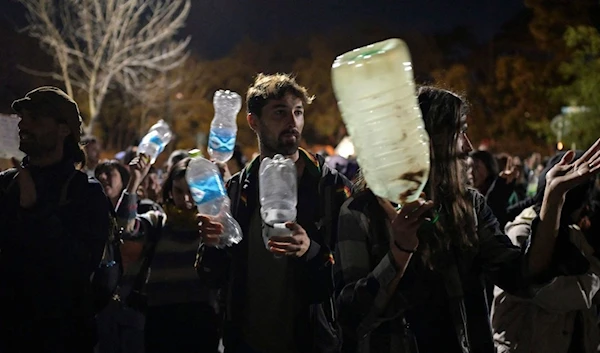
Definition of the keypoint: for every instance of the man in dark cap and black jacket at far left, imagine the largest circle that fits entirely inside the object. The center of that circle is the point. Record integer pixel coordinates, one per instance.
(54, 223)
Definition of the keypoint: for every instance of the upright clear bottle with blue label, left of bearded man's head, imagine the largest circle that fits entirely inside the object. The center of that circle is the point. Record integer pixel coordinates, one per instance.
(223, 129)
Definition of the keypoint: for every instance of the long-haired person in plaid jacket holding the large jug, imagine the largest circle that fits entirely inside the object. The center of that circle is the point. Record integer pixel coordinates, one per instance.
(412, 280)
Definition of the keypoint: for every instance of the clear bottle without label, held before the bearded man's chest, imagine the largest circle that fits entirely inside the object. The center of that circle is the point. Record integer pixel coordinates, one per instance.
(278, 193)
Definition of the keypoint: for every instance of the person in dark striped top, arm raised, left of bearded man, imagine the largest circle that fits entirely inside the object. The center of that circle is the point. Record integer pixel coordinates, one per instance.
(168, 308)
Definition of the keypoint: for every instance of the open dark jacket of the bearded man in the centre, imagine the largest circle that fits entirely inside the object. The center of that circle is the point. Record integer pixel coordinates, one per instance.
(226, 269)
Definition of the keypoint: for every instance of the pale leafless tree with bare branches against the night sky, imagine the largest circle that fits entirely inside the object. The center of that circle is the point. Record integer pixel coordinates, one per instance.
(98, 44)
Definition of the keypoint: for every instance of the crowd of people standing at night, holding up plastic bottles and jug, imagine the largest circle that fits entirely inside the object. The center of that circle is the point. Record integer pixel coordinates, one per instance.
(499, 253)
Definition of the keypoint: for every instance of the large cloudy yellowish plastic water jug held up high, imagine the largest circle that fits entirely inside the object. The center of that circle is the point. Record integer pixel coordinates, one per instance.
(376, 94)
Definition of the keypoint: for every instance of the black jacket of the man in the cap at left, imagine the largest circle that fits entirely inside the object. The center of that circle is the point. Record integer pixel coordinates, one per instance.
(48, 252)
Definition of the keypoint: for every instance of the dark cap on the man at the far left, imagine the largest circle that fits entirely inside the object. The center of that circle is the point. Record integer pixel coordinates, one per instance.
(55, 103)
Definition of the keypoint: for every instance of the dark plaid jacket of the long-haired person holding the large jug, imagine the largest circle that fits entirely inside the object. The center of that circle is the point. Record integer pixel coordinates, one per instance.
(366, 267)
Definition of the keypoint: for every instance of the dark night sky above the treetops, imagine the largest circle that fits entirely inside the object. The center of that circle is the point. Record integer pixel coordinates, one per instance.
(217, 25)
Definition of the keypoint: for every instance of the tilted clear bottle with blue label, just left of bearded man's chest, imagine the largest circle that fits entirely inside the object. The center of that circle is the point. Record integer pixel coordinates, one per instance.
(209, 194)
